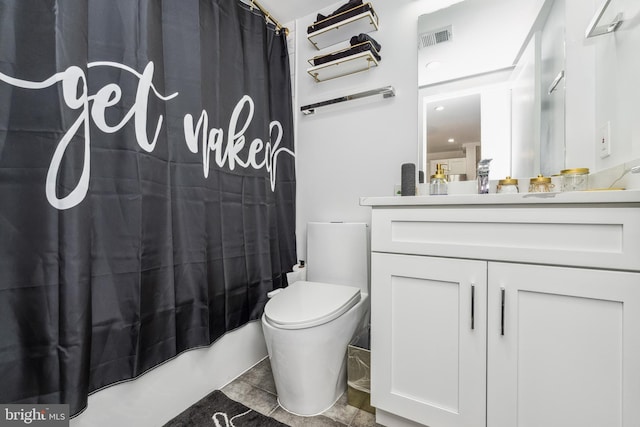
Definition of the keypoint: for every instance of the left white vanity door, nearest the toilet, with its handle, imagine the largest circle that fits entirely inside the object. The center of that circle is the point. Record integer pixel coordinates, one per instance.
(428, 326)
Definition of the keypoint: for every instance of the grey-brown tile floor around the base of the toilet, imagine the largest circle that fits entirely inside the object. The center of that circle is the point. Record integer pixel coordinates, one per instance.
(256, 389)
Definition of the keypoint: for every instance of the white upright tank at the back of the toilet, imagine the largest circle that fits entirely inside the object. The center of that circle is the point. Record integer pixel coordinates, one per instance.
(338, 252)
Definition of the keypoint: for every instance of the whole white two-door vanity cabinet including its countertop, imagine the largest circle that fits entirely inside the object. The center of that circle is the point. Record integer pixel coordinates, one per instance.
(552, 337)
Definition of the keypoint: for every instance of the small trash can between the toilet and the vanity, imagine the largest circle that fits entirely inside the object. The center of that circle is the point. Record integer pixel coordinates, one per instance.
(359, 372)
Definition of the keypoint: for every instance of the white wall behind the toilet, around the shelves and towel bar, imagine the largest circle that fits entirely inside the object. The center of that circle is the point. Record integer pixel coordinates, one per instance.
(357, 149)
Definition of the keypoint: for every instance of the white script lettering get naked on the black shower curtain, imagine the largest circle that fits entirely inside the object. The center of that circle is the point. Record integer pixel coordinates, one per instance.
(76, 97)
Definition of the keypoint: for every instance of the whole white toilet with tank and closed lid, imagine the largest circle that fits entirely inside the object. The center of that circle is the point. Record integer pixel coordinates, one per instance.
(308, 325)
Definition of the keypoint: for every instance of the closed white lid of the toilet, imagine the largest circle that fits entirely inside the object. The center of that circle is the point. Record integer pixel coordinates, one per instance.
(306, 304)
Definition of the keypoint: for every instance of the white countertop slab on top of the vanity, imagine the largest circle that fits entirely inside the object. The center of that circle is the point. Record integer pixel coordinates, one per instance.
(574, 197)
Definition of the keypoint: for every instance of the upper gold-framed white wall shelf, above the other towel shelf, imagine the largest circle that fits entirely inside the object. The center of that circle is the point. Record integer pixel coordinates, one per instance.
(364, 22)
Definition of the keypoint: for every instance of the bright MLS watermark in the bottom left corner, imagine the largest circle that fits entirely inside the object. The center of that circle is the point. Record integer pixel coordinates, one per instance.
(34, 415)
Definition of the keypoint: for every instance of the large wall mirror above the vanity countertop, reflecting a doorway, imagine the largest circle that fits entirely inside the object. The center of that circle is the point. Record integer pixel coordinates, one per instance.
(488, 65)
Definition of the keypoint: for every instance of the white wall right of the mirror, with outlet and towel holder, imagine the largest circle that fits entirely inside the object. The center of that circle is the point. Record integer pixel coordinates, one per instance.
(602, 84)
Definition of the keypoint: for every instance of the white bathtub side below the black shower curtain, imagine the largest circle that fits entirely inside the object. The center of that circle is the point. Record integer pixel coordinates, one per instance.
(165, 391)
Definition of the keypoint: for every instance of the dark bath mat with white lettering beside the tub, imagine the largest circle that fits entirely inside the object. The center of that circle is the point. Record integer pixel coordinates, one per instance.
(217, 410)
